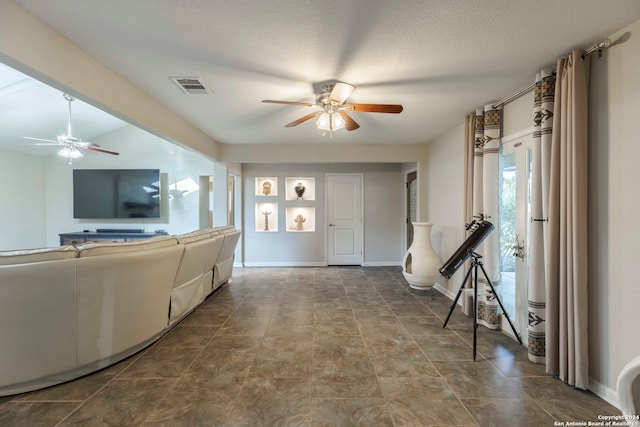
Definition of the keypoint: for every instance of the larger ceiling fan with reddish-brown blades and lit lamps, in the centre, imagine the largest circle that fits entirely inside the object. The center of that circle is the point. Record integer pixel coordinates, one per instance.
(332, 113)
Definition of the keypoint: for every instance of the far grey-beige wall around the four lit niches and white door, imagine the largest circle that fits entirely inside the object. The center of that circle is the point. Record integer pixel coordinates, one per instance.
(383, 192)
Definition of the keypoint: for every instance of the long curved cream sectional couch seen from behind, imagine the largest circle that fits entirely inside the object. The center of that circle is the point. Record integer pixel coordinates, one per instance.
(68, 311)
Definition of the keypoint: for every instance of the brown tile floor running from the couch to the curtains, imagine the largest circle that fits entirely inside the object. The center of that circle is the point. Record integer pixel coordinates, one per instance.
(315, 347)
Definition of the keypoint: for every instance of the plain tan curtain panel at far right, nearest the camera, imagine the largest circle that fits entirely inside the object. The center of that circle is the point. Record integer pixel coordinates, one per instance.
(566, 241)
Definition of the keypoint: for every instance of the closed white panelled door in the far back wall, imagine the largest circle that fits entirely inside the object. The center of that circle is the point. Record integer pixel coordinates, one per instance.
(344, 219)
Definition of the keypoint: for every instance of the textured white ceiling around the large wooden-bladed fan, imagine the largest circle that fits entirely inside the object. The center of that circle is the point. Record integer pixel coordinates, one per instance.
(439, 59)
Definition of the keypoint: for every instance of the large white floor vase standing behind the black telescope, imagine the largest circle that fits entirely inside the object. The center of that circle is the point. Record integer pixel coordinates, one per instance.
(420, 264)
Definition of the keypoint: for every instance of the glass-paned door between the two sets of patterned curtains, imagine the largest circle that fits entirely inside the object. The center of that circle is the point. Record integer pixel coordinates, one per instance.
(515, 207)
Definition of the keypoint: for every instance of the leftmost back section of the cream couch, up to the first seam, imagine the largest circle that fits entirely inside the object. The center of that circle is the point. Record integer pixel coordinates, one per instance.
(37, 314)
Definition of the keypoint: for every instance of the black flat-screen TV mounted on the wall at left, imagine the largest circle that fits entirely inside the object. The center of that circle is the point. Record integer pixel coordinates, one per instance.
(116, 193)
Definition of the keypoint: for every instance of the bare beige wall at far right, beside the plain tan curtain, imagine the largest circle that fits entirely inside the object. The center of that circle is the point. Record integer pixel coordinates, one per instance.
(614, 230)
